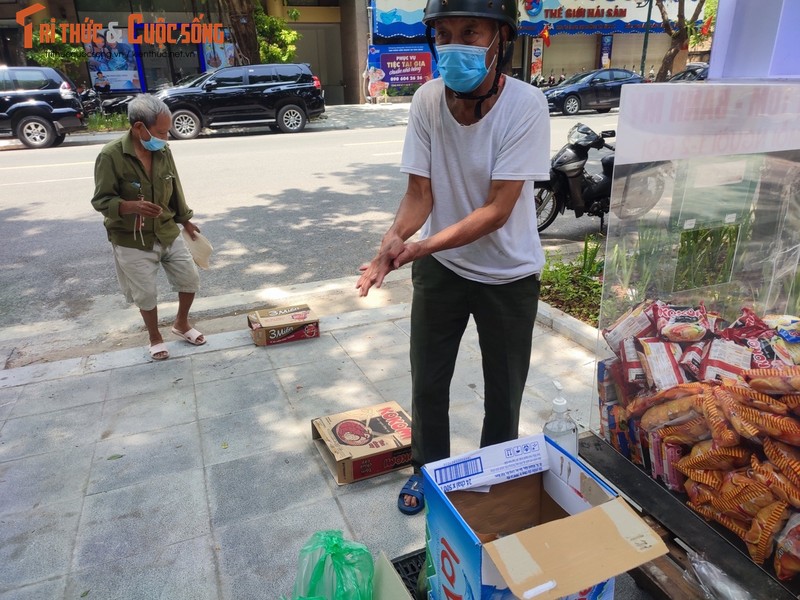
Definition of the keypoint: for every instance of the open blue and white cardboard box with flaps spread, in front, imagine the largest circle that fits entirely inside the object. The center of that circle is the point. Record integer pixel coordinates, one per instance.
(547, 528)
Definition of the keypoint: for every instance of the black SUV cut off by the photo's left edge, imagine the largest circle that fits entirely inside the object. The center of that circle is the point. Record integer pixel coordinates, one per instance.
(38, 105)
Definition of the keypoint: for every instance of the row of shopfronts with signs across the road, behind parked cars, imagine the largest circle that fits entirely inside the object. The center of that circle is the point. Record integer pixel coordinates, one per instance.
(360, 49)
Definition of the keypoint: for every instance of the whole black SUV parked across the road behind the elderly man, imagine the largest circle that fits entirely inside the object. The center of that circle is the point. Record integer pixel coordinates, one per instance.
(282, 96)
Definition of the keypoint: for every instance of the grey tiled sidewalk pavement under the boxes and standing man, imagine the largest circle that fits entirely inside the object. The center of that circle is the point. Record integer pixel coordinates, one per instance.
(196, 478)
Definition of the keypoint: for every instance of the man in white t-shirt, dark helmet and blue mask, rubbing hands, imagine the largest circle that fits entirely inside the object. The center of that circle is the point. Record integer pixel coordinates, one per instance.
(475, 143)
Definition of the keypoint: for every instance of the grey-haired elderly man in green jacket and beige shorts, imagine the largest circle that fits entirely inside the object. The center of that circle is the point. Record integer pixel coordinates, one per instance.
(138, 191)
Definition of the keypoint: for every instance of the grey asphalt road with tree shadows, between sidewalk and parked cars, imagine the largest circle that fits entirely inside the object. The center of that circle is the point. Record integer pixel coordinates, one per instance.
(279, 209)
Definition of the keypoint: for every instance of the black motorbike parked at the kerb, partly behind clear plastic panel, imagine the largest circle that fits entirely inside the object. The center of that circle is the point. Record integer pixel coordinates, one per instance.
(572, 187)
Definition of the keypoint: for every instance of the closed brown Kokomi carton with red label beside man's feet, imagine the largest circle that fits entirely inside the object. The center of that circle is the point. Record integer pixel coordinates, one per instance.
(365, 442)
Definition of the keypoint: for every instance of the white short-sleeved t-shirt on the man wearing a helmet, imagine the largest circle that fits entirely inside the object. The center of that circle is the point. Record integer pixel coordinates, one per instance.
(511, 142)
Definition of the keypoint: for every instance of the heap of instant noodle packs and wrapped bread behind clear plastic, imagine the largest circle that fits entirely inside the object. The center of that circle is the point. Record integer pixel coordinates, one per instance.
(712, 409)
